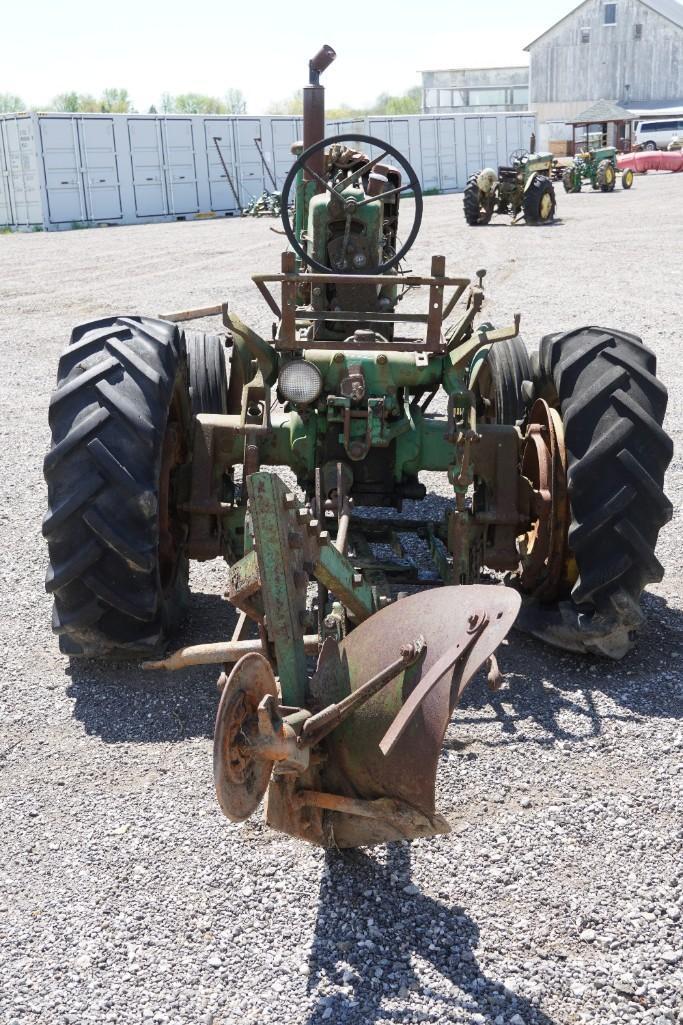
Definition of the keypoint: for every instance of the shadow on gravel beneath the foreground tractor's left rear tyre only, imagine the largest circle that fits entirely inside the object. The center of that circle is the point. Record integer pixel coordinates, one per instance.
(120, 703)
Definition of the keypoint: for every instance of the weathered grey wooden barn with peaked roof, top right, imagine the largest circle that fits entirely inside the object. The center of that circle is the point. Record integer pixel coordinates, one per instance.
(630, 52)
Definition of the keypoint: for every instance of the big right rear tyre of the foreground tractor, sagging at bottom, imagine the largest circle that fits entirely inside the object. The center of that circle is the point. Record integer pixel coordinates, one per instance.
(613, 408)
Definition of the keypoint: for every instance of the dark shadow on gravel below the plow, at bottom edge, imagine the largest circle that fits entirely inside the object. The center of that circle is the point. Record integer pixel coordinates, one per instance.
(369, 935)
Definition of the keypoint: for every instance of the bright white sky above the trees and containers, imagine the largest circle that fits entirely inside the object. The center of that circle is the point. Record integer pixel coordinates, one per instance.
(151, 48)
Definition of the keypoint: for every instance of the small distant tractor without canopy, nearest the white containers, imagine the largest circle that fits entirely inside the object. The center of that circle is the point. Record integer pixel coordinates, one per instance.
(524, 188)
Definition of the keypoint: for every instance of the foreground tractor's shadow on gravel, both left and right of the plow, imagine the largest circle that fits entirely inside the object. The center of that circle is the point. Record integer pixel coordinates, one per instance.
(549, 698)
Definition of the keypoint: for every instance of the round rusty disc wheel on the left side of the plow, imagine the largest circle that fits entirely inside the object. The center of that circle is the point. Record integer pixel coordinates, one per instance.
(242, 778)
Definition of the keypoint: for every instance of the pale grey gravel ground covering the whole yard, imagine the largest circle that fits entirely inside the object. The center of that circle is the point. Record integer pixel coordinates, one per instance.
(126, 896)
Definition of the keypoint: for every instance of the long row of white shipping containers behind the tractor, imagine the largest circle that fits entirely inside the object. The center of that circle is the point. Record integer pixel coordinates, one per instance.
(68, 171)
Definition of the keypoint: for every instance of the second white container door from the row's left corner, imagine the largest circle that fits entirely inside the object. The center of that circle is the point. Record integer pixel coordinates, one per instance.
(101, 176)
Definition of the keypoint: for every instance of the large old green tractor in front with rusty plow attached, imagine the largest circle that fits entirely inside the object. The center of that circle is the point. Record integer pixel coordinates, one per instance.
(359, 617)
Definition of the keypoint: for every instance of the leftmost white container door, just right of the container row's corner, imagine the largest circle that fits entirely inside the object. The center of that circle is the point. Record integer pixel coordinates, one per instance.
(62, 160)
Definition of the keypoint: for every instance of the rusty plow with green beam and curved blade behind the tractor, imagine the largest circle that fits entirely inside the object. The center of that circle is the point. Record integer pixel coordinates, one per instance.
(345, 754)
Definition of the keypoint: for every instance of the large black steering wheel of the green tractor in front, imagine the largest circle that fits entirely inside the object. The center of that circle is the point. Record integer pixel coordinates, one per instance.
(349, 206)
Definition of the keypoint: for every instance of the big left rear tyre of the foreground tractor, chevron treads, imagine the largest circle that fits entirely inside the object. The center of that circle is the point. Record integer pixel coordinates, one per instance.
(122, 435)
